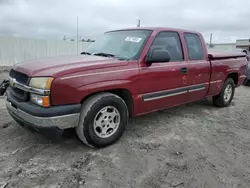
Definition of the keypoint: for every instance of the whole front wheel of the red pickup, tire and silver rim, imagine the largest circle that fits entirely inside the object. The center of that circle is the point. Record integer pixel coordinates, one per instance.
(103, 119)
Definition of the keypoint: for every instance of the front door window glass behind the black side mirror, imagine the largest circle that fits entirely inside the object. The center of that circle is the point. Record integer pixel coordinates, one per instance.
(169, 41)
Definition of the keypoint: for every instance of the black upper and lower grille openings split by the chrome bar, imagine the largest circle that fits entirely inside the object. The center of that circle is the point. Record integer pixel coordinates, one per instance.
(23, 79)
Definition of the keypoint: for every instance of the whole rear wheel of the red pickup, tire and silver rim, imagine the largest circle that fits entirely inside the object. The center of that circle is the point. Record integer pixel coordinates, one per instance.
(226, 94)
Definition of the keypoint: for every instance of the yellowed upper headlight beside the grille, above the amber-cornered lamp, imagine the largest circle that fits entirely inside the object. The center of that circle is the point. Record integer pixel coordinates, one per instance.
(41, 82)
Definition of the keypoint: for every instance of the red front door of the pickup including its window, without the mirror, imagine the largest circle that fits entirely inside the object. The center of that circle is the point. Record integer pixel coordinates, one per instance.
(163, 84)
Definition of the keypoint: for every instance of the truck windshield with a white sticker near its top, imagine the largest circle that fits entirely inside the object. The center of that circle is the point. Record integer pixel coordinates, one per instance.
(125, 44)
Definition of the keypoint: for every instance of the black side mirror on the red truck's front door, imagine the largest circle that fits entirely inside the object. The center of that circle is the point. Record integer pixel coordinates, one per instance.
(158, 56)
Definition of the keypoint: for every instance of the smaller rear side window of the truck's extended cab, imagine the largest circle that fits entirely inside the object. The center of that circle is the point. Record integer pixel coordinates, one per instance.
(194, 46)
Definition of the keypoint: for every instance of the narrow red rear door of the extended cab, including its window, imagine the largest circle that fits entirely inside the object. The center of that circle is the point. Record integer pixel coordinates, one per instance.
(198, 67)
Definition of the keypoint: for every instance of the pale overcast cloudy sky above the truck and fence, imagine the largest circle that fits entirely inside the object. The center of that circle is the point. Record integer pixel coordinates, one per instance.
(226, 19)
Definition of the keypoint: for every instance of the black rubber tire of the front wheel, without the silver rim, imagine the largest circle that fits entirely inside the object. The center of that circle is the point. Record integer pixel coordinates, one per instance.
(90, 108)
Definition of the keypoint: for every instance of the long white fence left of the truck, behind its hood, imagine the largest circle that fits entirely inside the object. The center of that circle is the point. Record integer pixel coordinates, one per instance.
(14, 50)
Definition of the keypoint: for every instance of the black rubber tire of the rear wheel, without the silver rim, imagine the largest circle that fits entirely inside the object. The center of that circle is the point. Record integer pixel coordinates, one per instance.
(219, 99)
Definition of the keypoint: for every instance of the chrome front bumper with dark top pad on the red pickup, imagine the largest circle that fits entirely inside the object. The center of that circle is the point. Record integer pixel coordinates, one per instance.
(62, 117)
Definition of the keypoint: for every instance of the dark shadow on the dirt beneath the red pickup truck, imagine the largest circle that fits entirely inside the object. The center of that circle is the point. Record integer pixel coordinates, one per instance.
(68, 138)
